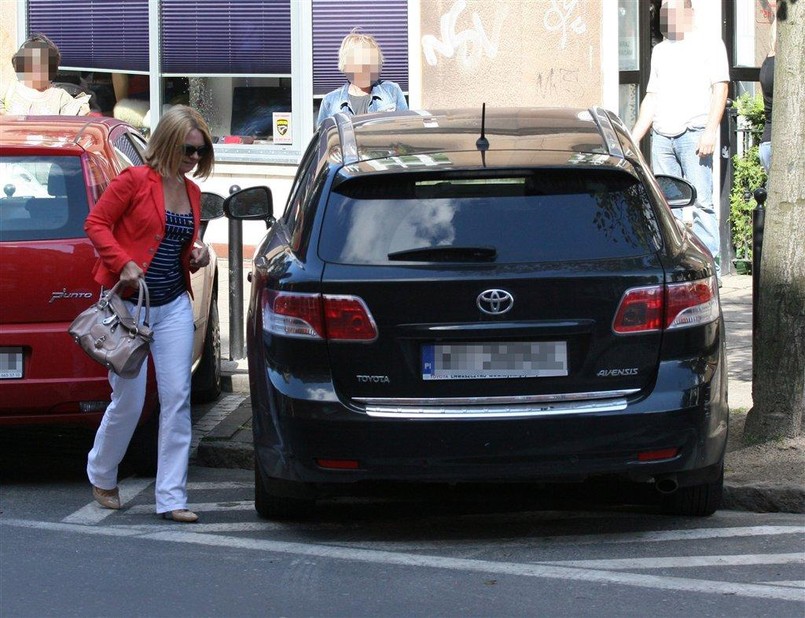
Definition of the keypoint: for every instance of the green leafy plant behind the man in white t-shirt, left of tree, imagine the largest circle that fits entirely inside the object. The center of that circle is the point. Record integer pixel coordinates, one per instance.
(748, 175)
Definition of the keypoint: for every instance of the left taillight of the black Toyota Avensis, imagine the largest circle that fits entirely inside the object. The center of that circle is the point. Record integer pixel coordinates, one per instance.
(317, 316)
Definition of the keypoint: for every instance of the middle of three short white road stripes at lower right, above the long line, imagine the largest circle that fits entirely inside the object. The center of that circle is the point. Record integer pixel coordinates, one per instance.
(681, 561)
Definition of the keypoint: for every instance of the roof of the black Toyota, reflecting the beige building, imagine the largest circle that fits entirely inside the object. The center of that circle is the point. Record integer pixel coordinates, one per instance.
(517, 137)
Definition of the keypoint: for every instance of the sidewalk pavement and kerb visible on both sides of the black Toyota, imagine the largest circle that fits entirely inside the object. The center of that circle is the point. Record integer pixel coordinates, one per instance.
(228, 443)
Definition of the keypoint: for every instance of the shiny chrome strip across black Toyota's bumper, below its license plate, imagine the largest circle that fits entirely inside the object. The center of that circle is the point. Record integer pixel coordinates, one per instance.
(495, 412)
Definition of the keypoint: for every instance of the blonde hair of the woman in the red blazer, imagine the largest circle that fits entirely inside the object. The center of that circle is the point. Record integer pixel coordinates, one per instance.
(166, 145)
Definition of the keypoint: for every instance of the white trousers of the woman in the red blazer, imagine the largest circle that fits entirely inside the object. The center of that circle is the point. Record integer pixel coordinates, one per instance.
(172, 351)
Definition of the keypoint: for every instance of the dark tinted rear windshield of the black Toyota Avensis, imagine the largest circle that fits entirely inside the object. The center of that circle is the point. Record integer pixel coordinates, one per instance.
(539, 216)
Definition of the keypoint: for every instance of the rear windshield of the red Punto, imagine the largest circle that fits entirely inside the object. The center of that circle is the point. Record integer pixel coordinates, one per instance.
(44, 198)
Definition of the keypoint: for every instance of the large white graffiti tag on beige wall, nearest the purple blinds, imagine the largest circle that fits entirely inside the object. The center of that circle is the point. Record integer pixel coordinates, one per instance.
(470, 45)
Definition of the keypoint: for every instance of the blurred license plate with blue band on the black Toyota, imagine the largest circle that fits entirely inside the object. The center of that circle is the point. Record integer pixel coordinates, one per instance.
(474, 361)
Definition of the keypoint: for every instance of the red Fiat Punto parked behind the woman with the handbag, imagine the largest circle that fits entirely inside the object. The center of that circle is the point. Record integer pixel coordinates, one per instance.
(52, 172)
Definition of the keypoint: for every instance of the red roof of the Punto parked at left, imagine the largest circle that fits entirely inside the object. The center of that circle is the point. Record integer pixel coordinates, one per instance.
(63, 132)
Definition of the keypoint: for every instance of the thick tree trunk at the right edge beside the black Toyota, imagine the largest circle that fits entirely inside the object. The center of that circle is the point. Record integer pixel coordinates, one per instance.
(778, 380)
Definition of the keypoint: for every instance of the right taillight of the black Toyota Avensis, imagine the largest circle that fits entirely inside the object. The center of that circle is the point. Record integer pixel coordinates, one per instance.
(672, 306)
